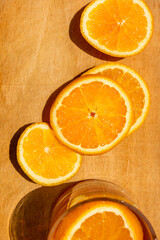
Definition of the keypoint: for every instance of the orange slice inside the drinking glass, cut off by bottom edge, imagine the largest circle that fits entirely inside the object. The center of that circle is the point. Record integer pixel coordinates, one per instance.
(99, 220)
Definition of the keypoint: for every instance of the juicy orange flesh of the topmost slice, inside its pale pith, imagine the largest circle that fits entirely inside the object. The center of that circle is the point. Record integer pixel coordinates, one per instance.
(117, 24)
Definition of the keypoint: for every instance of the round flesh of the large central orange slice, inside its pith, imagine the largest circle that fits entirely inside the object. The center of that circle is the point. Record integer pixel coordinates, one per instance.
(92, 115)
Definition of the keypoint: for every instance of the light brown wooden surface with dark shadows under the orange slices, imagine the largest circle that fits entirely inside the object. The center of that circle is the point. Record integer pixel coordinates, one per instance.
(40, 50)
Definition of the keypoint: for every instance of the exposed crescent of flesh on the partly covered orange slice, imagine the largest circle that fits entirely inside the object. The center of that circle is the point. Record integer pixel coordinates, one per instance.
(132, 87)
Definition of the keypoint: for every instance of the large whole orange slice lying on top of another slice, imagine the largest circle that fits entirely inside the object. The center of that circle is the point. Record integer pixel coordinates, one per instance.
(91, 115)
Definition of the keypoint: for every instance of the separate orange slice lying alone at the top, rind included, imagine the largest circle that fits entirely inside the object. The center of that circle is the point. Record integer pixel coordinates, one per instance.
(117, 27)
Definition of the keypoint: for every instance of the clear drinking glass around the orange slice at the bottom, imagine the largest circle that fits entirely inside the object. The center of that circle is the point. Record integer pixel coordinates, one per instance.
(93, 190)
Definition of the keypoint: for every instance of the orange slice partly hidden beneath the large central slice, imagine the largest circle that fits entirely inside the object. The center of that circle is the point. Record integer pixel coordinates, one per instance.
(133, 84)
